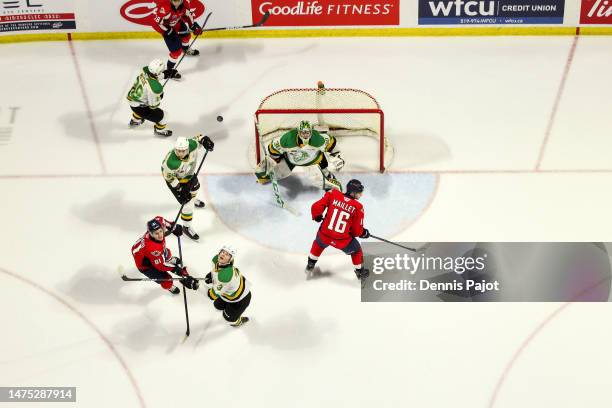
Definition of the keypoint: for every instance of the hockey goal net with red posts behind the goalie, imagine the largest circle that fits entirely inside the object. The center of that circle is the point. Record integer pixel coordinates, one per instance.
(343, 113)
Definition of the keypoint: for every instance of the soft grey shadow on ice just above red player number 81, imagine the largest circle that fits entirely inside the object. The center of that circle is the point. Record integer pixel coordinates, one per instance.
(113, 210)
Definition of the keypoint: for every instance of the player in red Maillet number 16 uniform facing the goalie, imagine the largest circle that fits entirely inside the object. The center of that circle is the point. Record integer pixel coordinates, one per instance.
(342, 223)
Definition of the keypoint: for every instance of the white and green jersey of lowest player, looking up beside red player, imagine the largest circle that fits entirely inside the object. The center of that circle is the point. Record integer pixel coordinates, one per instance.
(228, 283)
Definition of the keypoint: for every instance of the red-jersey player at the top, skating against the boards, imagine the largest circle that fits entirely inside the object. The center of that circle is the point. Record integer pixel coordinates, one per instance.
(174, 20)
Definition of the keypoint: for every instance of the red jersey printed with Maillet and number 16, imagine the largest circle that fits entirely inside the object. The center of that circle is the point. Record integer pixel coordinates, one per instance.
(344, 217)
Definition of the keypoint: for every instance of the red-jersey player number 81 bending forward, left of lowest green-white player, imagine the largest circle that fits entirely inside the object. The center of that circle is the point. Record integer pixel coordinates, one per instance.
(154, 260)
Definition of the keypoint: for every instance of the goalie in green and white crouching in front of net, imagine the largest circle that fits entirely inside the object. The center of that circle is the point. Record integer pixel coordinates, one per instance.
(302, 146)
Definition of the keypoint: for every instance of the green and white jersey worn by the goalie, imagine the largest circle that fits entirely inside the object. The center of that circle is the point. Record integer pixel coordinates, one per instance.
(298, 153)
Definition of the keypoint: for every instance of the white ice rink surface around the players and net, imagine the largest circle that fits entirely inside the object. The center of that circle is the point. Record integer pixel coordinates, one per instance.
(495, 138)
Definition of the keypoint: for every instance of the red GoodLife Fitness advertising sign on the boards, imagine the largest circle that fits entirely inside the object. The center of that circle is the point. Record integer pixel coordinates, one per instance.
(327, 12)
